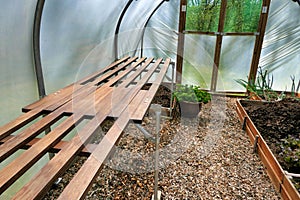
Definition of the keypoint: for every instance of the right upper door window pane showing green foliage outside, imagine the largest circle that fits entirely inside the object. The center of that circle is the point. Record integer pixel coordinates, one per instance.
(242, 15)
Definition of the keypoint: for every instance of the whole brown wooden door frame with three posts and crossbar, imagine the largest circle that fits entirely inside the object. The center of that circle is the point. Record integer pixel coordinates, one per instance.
(257, 48)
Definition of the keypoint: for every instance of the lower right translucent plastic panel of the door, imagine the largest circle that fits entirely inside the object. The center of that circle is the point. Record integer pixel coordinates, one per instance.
(236, 57)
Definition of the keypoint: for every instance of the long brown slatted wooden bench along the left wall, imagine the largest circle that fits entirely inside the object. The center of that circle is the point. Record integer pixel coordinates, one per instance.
(114, 91)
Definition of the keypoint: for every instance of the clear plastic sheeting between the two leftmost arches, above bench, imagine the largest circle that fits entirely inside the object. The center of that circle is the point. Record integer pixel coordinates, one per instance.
(70, 33)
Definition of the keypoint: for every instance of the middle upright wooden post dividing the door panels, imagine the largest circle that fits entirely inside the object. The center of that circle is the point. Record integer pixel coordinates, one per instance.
(219, 41)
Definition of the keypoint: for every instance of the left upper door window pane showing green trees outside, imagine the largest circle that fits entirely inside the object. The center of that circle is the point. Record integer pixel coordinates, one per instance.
(203, 15)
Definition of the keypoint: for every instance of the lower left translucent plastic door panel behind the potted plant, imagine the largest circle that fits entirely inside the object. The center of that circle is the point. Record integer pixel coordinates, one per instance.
(198, 60)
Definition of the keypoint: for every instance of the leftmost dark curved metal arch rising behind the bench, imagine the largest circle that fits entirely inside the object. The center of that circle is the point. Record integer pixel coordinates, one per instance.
(36, 48)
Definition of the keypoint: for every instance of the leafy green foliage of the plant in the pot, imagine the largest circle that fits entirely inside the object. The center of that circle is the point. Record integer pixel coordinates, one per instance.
(191, 93)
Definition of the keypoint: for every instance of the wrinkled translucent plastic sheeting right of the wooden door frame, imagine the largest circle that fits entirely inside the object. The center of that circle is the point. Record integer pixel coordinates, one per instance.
(280, 53)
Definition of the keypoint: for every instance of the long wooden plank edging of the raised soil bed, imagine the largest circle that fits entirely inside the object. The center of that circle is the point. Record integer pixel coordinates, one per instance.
(277, 175)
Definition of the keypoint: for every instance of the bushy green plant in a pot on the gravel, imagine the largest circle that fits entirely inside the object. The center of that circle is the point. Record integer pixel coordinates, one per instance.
(190, 99)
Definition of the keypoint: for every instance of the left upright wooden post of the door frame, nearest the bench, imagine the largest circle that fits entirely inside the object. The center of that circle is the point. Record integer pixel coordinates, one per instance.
(180, 47)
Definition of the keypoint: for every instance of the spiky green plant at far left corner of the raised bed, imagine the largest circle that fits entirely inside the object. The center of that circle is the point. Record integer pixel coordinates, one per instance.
(262, 87)
